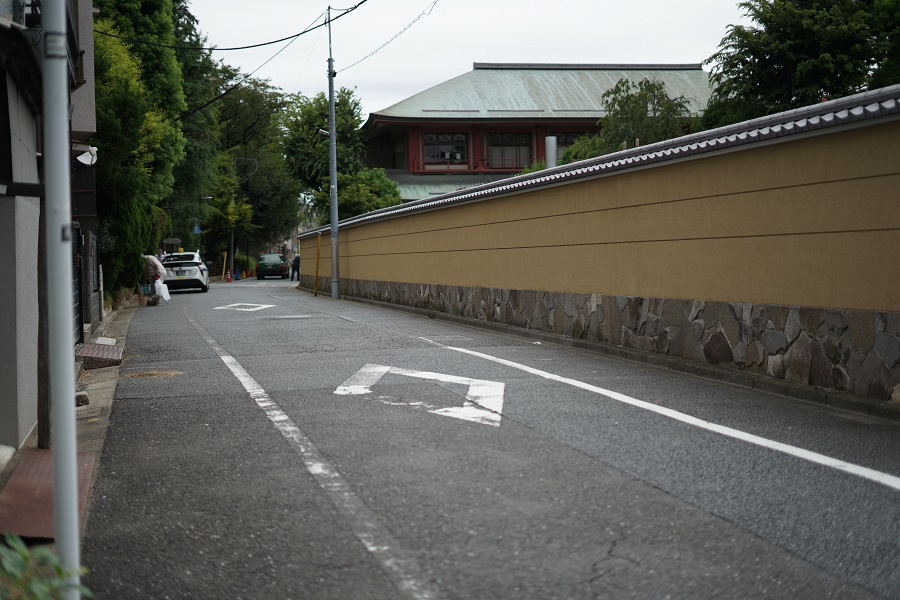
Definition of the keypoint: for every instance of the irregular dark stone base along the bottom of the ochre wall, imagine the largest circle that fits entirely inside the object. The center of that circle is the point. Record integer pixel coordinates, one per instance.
(855, 351)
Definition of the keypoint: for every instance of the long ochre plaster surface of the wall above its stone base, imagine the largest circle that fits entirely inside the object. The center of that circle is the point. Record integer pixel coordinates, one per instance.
(811, 222)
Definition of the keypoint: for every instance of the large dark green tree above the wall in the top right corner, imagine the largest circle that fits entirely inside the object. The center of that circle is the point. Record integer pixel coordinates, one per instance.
(799, 52)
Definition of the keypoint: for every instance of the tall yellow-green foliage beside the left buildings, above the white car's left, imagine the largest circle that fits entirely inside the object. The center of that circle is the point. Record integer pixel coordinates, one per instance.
(139, 97)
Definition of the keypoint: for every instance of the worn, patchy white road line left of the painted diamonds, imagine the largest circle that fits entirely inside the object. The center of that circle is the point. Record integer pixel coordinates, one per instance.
(402, 569)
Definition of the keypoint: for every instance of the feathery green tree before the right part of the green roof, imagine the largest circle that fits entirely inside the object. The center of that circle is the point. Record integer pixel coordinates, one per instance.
(636, 114)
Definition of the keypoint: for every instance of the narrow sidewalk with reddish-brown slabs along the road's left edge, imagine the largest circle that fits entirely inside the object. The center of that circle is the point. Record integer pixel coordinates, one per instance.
(26, 483)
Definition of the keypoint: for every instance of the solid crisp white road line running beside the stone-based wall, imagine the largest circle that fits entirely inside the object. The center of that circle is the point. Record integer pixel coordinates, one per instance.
(883, 478)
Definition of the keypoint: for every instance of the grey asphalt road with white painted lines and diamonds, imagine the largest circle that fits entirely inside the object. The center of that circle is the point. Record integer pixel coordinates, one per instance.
(265, 443)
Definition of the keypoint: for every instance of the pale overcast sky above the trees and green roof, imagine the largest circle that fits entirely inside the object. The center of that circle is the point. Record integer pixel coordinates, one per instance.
(450, 35)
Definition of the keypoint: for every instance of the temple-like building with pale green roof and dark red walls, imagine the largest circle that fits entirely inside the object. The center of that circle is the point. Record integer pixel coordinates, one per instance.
(495, 121)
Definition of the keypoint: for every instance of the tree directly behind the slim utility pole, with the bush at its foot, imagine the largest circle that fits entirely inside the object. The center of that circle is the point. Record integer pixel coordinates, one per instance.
(360, 189)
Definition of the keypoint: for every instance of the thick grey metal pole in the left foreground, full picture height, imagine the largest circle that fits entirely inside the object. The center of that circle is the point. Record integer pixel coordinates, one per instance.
(59, 280)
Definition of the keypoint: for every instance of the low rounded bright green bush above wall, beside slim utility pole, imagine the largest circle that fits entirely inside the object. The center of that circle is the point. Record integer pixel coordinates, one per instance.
(358, 193)
